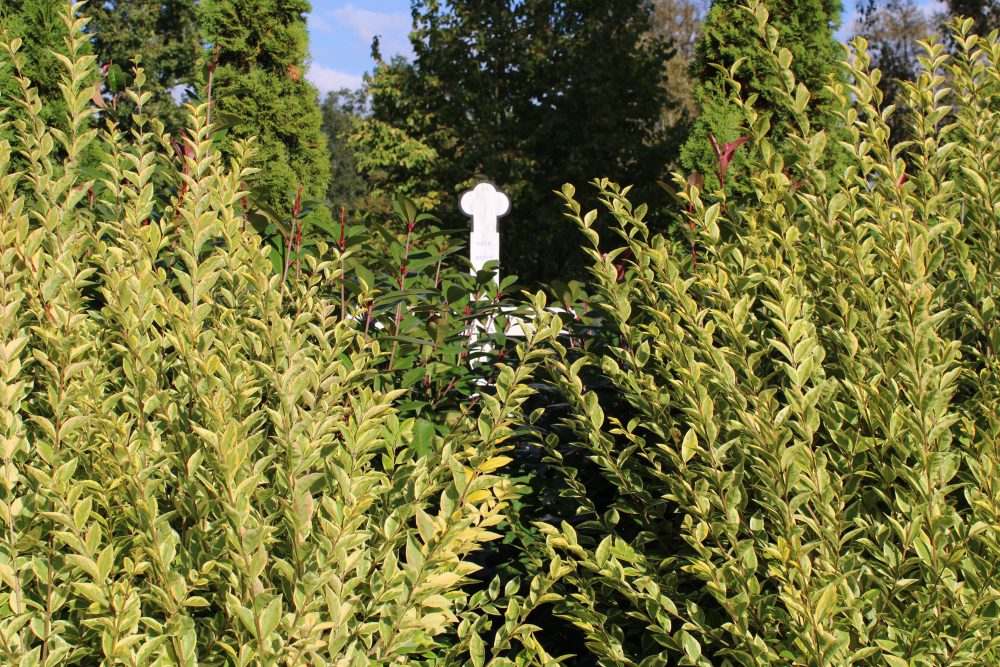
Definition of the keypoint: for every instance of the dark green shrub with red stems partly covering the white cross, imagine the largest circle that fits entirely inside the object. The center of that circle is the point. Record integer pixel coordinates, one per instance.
(445, 328)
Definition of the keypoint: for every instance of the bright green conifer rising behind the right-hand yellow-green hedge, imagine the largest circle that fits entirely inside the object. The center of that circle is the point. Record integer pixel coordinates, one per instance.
(805, 28)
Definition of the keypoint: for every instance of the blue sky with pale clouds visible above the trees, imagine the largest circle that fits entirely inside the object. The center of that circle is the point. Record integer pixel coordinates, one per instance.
(341, 36)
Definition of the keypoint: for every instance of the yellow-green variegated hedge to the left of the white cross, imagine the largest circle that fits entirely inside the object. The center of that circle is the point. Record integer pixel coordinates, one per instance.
(202, 462)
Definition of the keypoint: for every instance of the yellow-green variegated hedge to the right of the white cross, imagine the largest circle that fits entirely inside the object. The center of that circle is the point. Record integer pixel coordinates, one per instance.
(800, 423)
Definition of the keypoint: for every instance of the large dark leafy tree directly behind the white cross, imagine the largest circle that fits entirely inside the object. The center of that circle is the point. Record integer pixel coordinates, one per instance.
(526, 94)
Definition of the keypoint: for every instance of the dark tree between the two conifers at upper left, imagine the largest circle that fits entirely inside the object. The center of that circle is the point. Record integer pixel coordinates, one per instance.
(165, 35)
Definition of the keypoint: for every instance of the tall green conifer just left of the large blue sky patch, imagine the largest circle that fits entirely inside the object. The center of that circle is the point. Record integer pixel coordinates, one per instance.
(259, 86)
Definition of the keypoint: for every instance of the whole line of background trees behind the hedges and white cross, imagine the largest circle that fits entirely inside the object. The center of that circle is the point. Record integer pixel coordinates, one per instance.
(528, 94)
